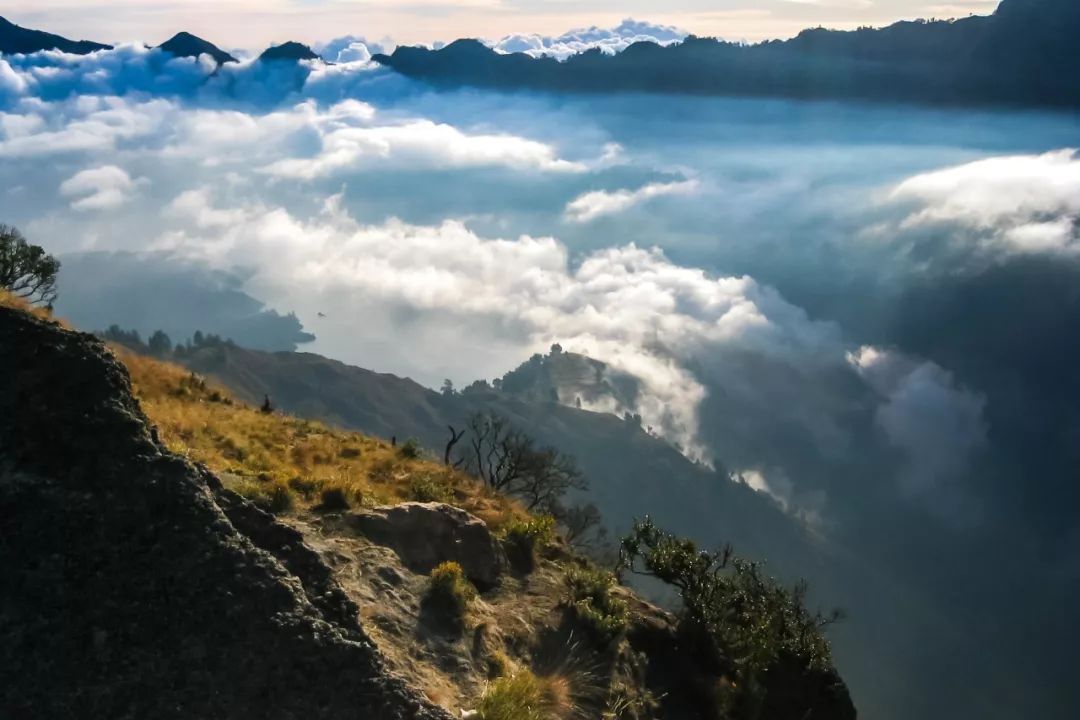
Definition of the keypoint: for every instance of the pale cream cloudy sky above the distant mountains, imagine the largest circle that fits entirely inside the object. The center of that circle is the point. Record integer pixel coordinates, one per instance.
(256, 23)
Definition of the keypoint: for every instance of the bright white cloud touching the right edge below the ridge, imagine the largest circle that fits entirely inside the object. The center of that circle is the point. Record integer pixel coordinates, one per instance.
(1012, 206)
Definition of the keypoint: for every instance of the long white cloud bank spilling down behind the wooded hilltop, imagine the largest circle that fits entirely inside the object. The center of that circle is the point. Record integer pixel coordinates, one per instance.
(627, 306)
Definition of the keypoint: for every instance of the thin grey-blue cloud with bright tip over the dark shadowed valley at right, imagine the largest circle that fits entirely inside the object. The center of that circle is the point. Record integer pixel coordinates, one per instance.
(924, 413)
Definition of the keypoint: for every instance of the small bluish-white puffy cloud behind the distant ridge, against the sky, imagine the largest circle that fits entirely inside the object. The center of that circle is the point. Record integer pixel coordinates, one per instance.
(609, 40)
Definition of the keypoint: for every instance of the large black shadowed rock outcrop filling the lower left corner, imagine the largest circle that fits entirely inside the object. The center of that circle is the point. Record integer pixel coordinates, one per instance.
(136, 587)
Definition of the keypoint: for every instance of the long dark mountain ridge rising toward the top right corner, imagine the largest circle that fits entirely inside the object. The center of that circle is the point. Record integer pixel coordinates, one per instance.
(1024, 55)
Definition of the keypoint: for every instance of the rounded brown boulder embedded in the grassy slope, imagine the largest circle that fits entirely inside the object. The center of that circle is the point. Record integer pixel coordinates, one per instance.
(425, 535)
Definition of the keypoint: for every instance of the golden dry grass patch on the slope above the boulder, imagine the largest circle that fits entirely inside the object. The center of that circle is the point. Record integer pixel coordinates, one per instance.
(287, 463)
